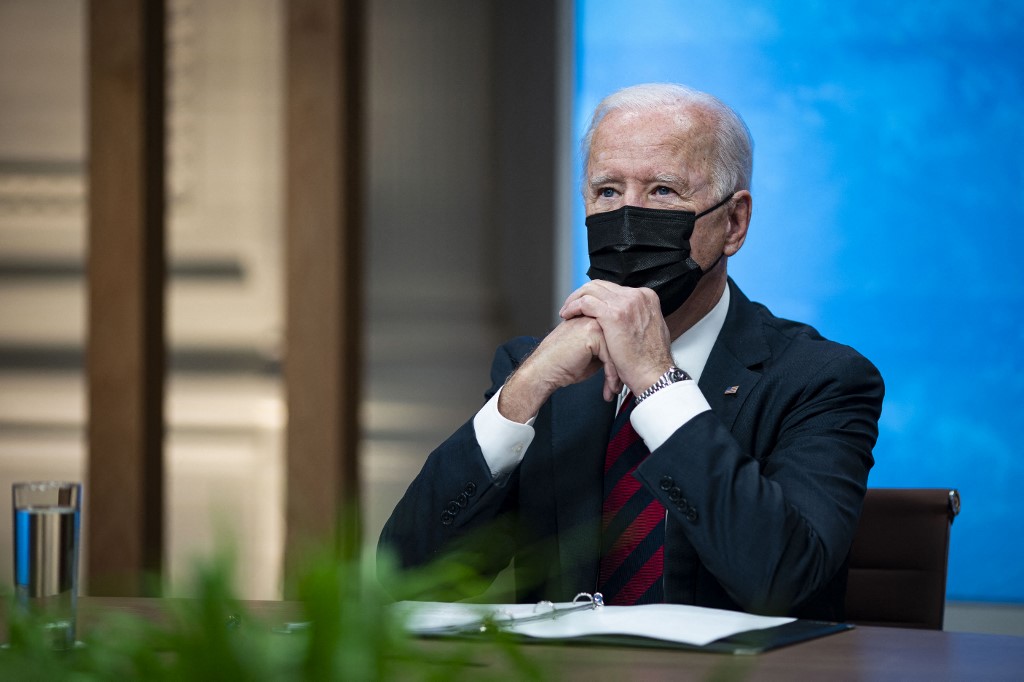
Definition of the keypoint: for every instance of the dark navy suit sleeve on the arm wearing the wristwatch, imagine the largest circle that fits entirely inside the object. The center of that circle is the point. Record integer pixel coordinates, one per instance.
(774, 519)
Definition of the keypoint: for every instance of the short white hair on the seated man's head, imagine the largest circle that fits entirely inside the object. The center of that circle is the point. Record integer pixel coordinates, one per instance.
(733, 159)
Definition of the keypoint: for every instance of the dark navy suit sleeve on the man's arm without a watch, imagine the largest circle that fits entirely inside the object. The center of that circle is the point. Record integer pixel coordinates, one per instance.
(454, 504)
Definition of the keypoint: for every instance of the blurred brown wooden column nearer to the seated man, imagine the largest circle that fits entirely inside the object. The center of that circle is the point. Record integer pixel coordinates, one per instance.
(324, 220)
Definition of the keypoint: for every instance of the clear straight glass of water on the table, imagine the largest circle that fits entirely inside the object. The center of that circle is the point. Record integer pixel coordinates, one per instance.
(47, 542)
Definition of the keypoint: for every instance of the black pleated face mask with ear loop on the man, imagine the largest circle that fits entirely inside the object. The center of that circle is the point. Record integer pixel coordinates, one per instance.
(643, 247)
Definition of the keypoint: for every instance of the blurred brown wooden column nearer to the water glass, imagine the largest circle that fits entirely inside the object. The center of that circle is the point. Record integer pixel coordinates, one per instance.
(126, 271)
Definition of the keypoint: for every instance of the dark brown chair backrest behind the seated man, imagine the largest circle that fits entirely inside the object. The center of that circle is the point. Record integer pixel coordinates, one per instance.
(900, 557)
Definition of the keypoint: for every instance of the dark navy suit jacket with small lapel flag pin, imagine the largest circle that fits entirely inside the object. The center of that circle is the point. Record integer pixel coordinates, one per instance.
(763, 493)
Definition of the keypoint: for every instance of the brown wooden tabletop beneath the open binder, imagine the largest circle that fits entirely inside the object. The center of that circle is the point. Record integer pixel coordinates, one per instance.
(864, 654)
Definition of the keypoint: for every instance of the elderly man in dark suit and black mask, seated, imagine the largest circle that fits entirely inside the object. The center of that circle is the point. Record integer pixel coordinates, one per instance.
(669, 441)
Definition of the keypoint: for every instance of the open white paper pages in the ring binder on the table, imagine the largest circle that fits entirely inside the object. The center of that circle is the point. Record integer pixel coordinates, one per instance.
(674, 623)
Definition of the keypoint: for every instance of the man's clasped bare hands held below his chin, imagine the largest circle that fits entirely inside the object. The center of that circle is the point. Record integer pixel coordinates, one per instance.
(605, 325)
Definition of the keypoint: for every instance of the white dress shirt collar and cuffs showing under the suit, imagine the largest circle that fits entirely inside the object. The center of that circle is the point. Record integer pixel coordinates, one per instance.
(504, 443)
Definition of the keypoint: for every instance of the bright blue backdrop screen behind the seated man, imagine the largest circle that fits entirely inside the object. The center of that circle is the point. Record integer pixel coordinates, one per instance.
(888, 210)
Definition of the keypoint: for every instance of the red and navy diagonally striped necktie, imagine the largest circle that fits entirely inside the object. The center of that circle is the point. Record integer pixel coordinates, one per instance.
(632, 523)
